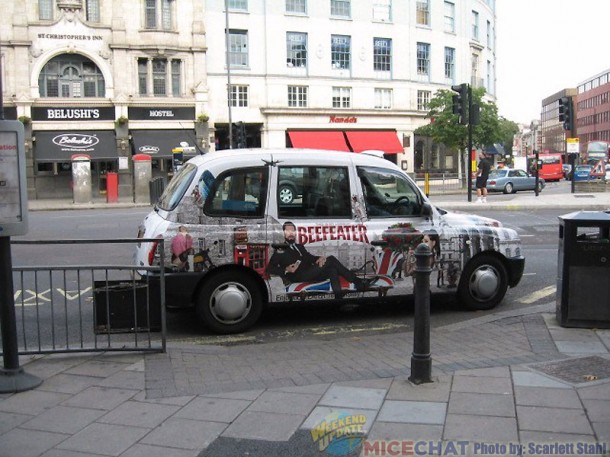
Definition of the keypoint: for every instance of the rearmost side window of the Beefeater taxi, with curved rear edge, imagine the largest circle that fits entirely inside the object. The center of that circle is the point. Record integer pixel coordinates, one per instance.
(240, 192)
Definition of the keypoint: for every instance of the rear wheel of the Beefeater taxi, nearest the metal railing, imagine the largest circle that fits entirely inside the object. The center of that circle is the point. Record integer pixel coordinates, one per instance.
(229, 302)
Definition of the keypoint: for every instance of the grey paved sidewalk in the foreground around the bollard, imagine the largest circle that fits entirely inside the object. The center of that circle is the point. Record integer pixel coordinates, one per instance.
(502, 382)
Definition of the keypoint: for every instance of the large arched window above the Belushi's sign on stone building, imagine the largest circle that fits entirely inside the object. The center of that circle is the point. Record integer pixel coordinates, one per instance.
(71, 76)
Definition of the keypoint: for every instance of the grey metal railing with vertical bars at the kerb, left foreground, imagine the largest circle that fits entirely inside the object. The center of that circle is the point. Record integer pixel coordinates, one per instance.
(88, 308)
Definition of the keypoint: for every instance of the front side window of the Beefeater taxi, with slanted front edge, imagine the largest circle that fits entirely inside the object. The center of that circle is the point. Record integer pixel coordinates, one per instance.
(387, 193)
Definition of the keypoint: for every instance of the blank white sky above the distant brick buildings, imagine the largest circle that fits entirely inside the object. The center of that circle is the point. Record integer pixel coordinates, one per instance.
(544, 46)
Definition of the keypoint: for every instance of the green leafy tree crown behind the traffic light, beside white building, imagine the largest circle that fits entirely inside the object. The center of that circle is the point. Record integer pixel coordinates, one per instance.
(444, 127)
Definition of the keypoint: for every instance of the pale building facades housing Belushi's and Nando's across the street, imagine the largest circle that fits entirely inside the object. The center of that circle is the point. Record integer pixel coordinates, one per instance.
(116, 78)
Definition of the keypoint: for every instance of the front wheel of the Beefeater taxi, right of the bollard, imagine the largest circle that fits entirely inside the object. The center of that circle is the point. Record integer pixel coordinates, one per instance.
(483, 283)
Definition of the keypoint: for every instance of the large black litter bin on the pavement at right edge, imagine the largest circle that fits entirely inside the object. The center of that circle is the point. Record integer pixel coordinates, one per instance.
(583, 288)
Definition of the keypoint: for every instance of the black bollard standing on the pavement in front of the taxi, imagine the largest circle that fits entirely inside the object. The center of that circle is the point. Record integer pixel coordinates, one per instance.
(421, 361)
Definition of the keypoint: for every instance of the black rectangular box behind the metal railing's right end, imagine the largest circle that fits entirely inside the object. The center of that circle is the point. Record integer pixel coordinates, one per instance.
(126, 306)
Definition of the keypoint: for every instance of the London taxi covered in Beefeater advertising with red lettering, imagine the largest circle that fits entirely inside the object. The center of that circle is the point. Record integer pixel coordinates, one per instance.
(234, 240)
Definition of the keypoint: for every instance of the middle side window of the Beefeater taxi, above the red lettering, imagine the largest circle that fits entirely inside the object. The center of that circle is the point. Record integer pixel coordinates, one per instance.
(320, 192)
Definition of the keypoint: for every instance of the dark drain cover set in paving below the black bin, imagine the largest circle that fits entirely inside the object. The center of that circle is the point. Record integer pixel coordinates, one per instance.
(582, 369)
